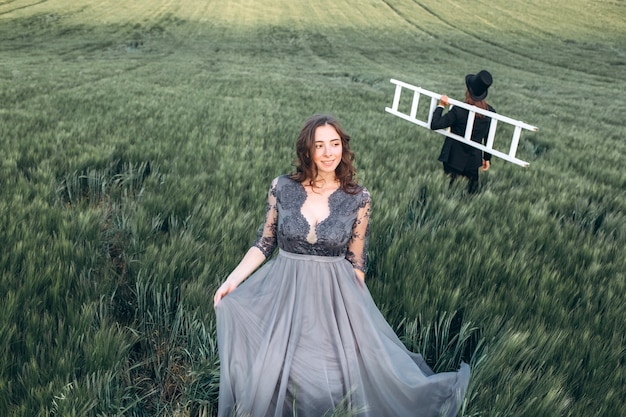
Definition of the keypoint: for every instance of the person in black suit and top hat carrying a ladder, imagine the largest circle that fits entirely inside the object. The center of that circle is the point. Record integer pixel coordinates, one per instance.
(458, 158)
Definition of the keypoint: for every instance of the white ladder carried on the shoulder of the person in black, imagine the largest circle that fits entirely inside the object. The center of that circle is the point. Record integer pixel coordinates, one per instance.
(495, 118)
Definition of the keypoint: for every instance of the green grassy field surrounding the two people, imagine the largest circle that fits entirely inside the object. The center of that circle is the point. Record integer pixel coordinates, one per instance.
(139, 139)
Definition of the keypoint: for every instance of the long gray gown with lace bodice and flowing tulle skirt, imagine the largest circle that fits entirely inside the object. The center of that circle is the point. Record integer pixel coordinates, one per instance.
(302, 335)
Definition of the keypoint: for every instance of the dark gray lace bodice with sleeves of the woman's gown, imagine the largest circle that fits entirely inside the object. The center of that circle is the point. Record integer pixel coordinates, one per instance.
(344, 232)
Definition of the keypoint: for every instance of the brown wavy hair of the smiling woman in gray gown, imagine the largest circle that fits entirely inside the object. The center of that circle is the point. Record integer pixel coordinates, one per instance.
(306, 171)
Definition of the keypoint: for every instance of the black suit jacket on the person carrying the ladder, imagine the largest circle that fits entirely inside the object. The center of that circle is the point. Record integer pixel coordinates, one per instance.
(458, 155)
